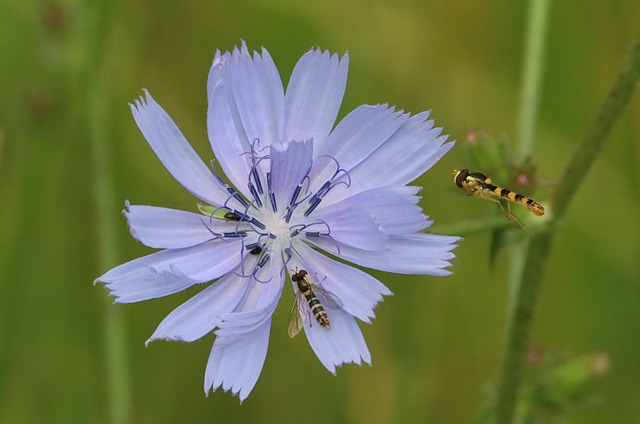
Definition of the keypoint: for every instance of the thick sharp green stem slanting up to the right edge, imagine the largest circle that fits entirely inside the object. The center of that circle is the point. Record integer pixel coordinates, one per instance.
(541, 242)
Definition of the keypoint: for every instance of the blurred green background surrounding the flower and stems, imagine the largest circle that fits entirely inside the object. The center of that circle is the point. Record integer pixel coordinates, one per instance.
(437, 343)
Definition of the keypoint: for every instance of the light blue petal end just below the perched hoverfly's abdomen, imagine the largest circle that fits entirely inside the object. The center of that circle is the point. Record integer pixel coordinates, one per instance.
(341, 344)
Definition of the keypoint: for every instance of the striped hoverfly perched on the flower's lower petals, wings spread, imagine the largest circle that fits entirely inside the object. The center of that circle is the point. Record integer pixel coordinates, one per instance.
(310, 299)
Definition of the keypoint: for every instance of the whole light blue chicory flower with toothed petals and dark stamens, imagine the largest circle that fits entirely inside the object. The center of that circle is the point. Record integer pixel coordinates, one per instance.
(295, 189)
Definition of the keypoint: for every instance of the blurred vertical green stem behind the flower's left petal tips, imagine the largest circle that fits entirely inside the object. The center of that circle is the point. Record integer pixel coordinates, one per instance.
(93, 101)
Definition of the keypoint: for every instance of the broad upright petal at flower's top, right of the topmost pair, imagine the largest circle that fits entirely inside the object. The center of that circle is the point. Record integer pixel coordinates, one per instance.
(314, 95)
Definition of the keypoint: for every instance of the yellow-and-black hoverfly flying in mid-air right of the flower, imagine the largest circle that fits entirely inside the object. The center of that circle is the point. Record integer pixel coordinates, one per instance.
(478, 184)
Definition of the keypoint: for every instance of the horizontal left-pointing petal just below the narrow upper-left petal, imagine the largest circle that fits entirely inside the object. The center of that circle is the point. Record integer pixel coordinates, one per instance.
(169, 228)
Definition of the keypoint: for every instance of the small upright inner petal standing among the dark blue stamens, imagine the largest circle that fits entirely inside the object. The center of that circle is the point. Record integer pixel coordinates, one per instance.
(290, 162)
